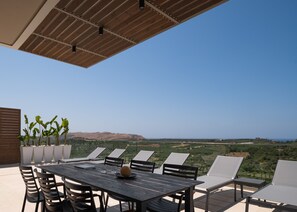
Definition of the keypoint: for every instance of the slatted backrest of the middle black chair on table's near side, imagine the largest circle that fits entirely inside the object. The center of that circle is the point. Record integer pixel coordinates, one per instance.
(50, 191)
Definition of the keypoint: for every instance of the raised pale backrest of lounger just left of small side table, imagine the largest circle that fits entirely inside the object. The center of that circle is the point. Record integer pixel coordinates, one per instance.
(225, 166)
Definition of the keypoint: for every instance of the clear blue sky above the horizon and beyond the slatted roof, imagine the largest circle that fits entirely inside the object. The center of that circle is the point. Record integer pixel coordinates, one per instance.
(228, 73)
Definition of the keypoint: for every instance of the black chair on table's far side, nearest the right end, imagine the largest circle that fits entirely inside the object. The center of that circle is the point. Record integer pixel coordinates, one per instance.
(164, 205)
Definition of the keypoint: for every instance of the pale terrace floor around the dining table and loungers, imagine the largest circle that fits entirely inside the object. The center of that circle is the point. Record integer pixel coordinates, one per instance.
(12, 191)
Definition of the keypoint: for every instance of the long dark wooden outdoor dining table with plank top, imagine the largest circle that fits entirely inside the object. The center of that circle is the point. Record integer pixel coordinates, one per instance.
(141, 189)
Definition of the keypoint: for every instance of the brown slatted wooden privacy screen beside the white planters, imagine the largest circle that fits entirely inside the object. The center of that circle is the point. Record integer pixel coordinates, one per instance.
(10, 120)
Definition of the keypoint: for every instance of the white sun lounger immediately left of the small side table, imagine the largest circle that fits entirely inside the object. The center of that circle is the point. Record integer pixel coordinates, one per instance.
(222, 172)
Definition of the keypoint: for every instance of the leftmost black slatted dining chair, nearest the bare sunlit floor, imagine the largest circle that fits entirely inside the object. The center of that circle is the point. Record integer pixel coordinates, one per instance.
(33, 193)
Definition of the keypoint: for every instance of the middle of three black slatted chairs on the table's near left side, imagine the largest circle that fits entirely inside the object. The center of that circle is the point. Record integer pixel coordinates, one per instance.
(53, 198)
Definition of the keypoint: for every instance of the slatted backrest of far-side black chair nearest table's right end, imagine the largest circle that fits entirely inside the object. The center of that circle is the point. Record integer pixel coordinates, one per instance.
(183, 171)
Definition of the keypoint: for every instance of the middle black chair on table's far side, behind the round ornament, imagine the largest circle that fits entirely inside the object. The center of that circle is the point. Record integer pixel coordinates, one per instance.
(138, 165)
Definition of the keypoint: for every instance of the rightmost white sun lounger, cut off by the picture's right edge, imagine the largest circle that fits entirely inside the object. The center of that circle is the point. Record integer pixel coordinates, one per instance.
(283, 188)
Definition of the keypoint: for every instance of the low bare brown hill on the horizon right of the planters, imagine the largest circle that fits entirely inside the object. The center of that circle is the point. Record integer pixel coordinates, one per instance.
(106, 136)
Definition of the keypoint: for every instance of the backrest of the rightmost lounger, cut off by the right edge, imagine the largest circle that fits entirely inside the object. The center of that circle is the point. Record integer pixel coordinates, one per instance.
(285, 173)
